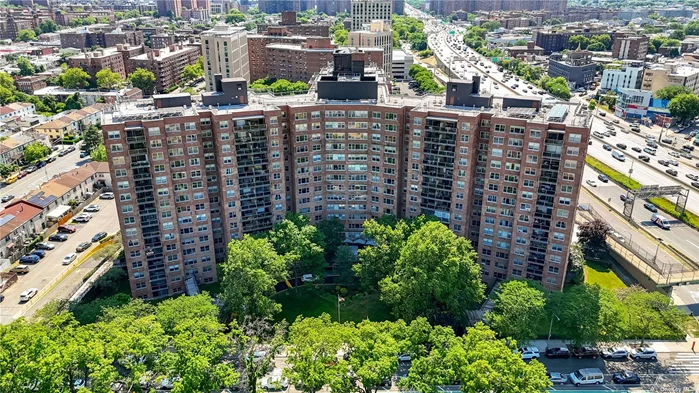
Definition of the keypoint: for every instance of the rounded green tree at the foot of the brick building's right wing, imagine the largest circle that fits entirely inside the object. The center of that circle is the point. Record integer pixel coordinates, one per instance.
(519, 308)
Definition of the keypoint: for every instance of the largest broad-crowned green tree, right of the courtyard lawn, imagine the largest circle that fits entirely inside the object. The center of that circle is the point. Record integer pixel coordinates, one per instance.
(436, 277)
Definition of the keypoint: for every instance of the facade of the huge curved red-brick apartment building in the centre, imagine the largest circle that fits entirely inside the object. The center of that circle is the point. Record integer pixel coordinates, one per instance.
(188, 180)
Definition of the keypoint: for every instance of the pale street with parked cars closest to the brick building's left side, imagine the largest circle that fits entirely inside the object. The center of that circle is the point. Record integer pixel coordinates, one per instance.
(43, 273)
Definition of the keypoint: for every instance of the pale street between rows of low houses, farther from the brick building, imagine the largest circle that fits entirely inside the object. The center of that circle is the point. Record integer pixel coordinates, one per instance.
(33, 180)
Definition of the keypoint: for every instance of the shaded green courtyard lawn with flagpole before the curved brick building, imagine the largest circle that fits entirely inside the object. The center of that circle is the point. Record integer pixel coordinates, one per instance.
(311, 302)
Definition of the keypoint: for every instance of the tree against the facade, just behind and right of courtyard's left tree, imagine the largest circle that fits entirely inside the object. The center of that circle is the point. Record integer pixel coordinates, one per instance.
(300, 243)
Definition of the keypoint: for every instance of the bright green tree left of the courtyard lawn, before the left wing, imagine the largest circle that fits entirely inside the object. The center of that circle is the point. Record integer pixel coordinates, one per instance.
(252, 270)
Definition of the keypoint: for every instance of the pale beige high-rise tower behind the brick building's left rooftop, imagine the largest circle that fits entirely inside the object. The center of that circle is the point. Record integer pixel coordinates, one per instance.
(225, 50)
